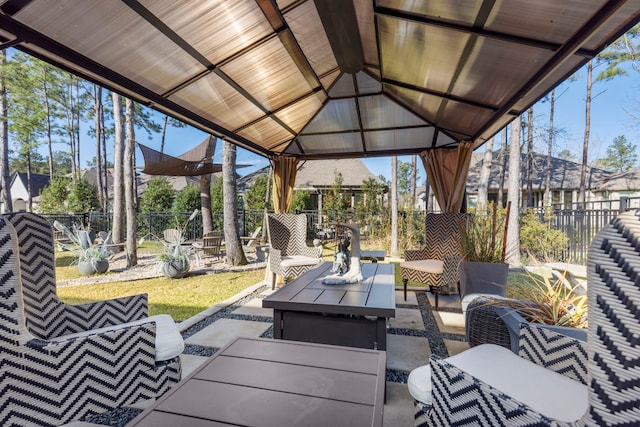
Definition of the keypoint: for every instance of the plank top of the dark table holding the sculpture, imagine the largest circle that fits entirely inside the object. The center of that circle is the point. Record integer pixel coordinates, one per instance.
(374, 296)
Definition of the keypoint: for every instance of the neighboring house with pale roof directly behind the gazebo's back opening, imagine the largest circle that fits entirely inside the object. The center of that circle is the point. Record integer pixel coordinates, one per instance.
(318, 177)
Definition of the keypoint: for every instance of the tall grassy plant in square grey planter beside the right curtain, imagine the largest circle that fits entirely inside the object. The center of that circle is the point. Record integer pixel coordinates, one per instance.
(482, 269)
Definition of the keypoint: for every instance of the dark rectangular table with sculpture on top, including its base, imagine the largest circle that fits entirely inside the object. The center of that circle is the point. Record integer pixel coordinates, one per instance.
(353, 315)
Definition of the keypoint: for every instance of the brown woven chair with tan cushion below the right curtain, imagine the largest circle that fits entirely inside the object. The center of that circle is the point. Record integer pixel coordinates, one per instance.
(436, 264)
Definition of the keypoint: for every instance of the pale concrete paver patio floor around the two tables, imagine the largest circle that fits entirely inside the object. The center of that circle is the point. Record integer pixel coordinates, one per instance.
(411, 337)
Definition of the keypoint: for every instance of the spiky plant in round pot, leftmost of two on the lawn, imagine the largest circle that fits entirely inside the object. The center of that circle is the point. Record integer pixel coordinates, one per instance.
(91, 258)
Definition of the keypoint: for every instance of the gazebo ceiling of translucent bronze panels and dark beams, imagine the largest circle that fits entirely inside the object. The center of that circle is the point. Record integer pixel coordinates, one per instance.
(324, 78)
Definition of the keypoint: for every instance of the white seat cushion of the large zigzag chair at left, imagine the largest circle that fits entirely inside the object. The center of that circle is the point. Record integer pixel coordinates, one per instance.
(169, 342)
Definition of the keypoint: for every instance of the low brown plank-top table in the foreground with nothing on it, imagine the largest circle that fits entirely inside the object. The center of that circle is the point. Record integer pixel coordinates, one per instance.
(264, 382)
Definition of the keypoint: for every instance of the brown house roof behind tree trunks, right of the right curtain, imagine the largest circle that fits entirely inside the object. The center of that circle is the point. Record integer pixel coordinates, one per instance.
(565, 173)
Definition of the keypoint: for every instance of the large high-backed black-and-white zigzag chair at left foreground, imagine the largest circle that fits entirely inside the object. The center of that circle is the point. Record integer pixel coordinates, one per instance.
(61, 362)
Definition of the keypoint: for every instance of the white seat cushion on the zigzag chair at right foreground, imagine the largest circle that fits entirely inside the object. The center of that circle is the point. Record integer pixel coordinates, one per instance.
(549, 393)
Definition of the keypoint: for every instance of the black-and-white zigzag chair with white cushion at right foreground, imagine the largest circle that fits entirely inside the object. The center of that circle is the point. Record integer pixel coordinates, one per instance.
(554, 379)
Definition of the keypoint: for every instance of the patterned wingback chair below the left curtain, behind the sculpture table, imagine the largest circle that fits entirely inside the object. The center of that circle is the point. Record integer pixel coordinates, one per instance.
(289, 255)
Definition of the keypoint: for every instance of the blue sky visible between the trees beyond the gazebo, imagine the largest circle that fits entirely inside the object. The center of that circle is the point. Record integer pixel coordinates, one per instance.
(612, 103)
